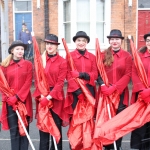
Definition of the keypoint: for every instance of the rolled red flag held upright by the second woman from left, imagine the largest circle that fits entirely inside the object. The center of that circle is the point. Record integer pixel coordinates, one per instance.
(45, 121)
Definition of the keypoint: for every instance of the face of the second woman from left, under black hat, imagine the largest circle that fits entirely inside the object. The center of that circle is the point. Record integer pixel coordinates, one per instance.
(51, 48)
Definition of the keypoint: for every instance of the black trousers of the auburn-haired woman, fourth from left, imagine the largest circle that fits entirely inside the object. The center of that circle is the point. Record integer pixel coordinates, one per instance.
(121, 107)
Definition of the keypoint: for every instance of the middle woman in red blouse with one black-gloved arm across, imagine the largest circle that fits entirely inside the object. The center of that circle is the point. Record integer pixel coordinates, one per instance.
(85, 64)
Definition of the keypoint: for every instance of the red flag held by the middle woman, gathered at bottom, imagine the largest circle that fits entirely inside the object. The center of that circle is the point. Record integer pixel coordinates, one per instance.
(82, 125)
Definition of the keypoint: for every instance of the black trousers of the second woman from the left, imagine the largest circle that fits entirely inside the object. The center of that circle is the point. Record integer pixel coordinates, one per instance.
(44, 136)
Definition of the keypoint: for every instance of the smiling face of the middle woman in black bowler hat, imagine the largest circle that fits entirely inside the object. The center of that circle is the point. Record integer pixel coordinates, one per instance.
(81, 43)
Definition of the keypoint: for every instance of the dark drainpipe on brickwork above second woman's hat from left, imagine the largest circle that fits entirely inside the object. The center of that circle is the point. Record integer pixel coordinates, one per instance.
(46, 8)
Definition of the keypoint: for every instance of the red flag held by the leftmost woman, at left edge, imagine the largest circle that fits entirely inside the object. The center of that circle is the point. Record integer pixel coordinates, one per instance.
(4, 87)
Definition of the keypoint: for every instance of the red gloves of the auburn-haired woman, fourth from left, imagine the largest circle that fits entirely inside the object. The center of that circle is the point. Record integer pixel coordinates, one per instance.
(108, 90)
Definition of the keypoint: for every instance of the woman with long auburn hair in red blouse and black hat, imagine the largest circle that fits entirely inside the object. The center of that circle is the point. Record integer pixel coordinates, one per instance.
(118, 66)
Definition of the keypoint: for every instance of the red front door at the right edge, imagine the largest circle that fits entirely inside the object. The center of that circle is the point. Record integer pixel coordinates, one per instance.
(143, 26)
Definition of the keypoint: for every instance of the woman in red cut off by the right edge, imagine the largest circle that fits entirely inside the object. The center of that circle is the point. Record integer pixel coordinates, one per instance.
(142, 133)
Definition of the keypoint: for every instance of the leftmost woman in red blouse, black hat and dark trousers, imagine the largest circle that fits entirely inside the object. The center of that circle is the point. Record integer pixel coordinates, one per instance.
(18, 73)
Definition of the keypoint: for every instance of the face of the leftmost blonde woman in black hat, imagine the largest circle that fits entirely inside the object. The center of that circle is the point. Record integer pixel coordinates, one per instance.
(17, 52)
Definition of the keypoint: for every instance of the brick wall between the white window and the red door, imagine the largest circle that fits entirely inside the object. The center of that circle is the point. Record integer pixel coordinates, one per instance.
(123, 17)
